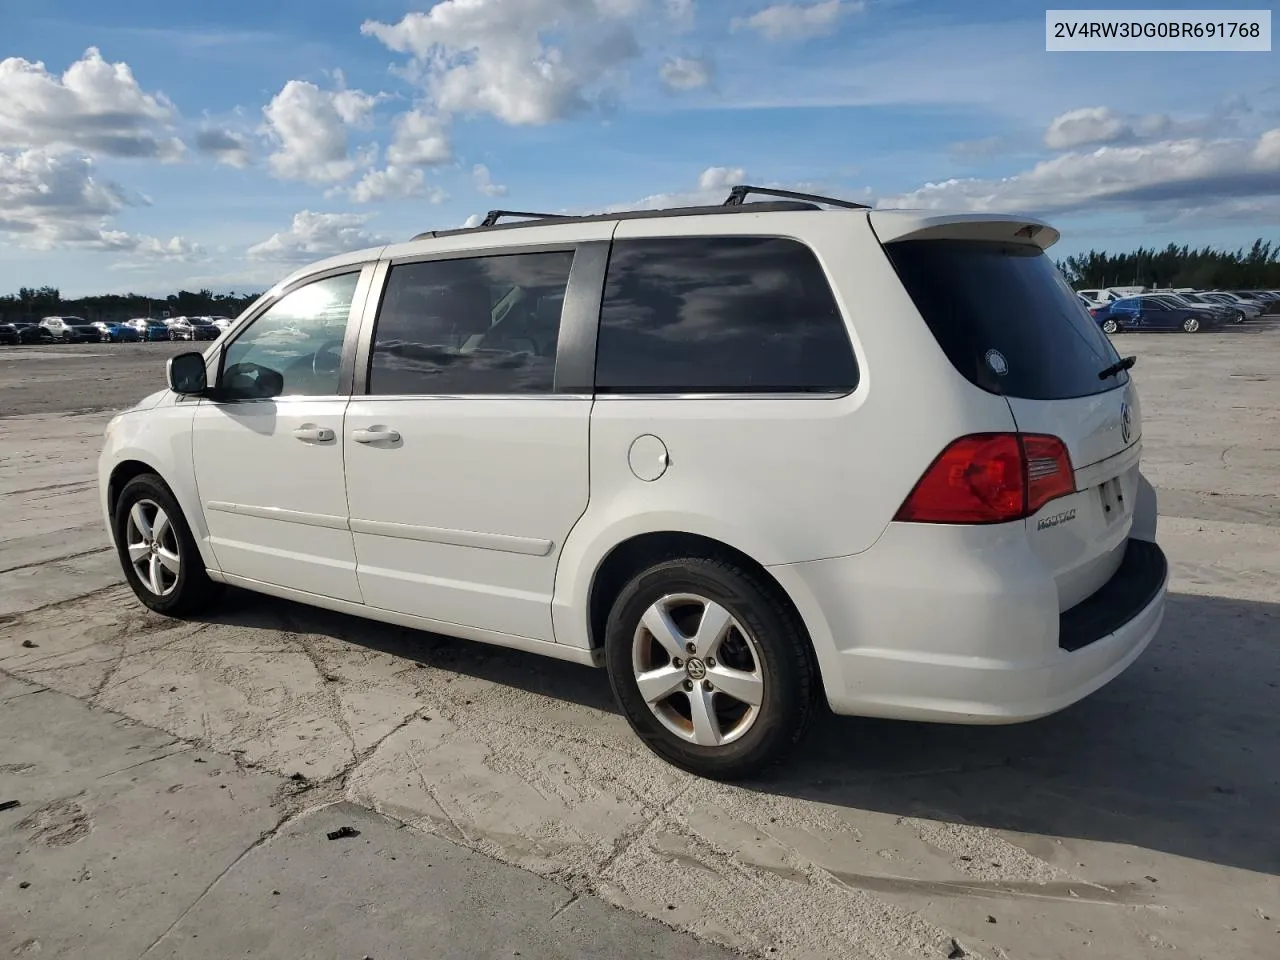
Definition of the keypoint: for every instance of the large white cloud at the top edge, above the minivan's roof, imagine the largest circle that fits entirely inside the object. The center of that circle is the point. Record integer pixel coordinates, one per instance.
(493, 57)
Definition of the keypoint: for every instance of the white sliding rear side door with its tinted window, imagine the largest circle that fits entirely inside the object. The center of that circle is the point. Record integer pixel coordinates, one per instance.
(467, 469)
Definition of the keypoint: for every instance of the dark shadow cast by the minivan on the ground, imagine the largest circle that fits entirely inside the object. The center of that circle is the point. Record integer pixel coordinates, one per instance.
(1180, 755)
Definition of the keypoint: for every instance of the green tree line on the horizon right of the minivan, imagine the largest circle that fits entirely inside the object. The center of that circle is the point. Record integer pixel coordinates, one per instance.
(1255, 268)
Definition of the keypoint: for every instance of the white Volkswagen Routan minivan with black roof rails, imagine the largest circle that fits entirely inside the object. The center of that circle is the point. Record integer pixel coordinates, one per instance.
(748, 458)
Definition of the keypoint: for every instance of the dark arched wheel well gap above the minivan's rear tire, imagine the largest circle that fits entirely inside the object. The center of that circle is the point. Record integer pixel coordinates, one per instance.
(642, 552)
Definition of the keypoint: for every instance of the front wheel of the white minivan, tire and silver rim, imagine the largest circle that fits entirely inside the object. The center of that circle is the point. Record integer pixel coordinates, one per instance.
(157, 550)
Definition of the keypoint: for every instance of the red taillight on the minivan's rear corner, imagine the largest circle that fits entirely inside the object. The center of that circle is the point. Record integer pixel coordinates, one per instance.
(991, 479)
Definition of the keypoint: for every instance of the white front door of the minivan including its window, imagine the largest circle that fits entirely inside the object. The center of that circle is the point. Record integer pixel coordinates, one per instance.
(268, 452)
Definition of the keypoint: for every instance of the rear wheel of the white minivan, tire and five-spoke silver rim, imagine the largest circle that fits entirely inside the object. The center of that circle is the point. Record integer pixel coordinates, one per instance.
(711, 668)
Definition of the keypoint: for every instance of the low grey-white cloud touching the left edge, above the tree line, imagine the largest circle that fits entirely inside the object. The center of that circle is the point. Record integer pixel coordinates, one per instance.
(52, 200)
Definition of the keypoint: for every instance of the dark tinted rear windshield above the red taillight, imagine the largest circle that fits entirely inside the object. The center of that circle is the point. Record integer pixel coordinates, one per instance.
(1007, 318)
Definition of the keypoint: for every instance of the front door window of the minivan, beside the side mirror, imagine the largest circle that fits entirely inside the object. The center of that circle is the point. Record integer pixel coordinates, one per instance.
(298, 340)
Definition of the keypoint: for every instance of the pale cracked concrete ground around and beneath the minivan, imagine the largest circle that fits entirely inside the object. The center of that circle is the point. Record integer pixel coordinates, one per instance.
(1133, 825)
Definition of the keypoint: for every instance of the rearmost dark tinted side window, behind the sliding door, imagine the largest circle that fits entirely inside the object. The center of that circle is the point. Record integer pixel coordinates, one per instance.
(724, 314)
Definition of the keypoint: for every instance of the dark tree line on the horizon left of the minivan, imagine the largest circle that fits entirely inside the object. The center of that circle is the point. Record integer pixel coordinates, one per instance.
(31, 304)
